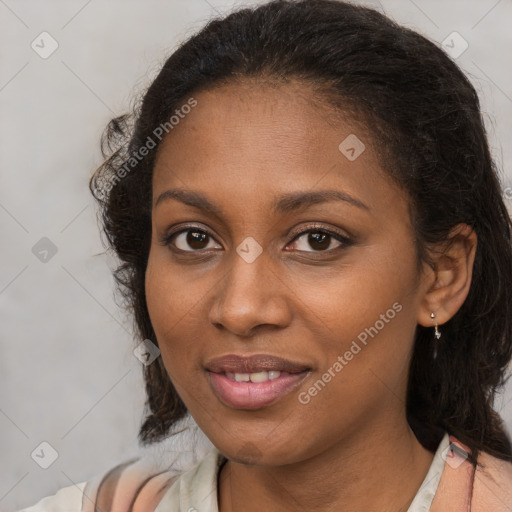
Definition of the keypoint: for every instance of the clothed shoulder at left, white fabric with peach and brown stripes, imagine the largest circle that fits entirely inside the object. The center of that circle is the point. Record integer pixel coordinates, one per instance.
(135, 485)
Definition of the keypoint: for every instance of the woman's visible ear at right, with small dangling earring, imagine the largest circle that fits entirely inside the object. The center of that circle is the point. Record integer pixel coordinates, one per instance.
(447, 283)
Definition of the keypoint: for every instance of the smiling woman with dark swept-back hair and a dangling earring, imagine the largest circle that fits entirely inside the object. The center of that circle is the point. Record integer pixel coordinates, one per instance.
(311, 231)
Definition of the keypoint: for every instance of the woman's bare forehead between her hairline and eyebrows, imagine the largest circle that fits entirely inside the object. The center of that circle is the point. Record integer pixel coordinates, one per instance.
(243, 138)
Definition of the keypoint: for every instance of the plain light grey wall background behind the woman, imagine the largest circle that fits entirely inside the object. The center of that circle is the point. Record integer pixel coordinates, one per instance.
(68, 375)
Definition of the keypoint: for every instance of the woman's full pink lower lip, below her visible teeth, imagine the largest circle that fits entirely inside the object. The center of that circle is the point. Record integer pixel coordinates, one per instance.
(253, 395)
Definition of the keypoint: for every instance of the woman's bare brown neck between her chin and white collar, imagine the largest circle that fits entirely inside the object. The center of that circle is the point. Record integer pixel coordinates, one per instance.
(380, 470)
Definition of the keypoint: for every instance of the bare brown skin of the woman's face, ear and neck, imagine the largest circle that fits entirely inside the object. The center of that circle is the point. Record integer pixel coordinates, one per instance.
(350, 447)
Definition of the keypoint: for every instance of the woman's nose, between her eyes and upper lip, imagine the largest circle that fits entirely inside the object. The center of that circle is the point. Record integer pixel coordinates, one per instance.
(250, 296)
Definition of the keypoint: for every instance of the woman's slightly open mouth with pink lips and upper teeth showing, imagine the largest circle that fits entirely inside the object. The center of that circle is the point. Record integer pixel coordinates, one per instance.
(254, 382)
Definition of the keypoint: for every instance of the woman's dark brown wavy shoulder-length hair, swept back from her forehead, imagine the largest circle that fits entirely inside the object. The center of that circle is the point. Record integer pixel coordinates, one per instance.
(424, 114)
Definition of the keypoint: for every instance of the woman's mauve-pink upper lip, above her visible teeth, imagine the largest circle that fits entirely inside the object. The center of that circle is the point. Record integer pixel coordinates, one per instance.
(234, 363)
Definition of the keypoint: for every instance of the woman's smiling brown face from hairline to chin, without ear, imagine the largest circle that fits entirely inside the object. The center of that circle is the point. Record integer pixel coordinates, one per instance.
(256, 189)
